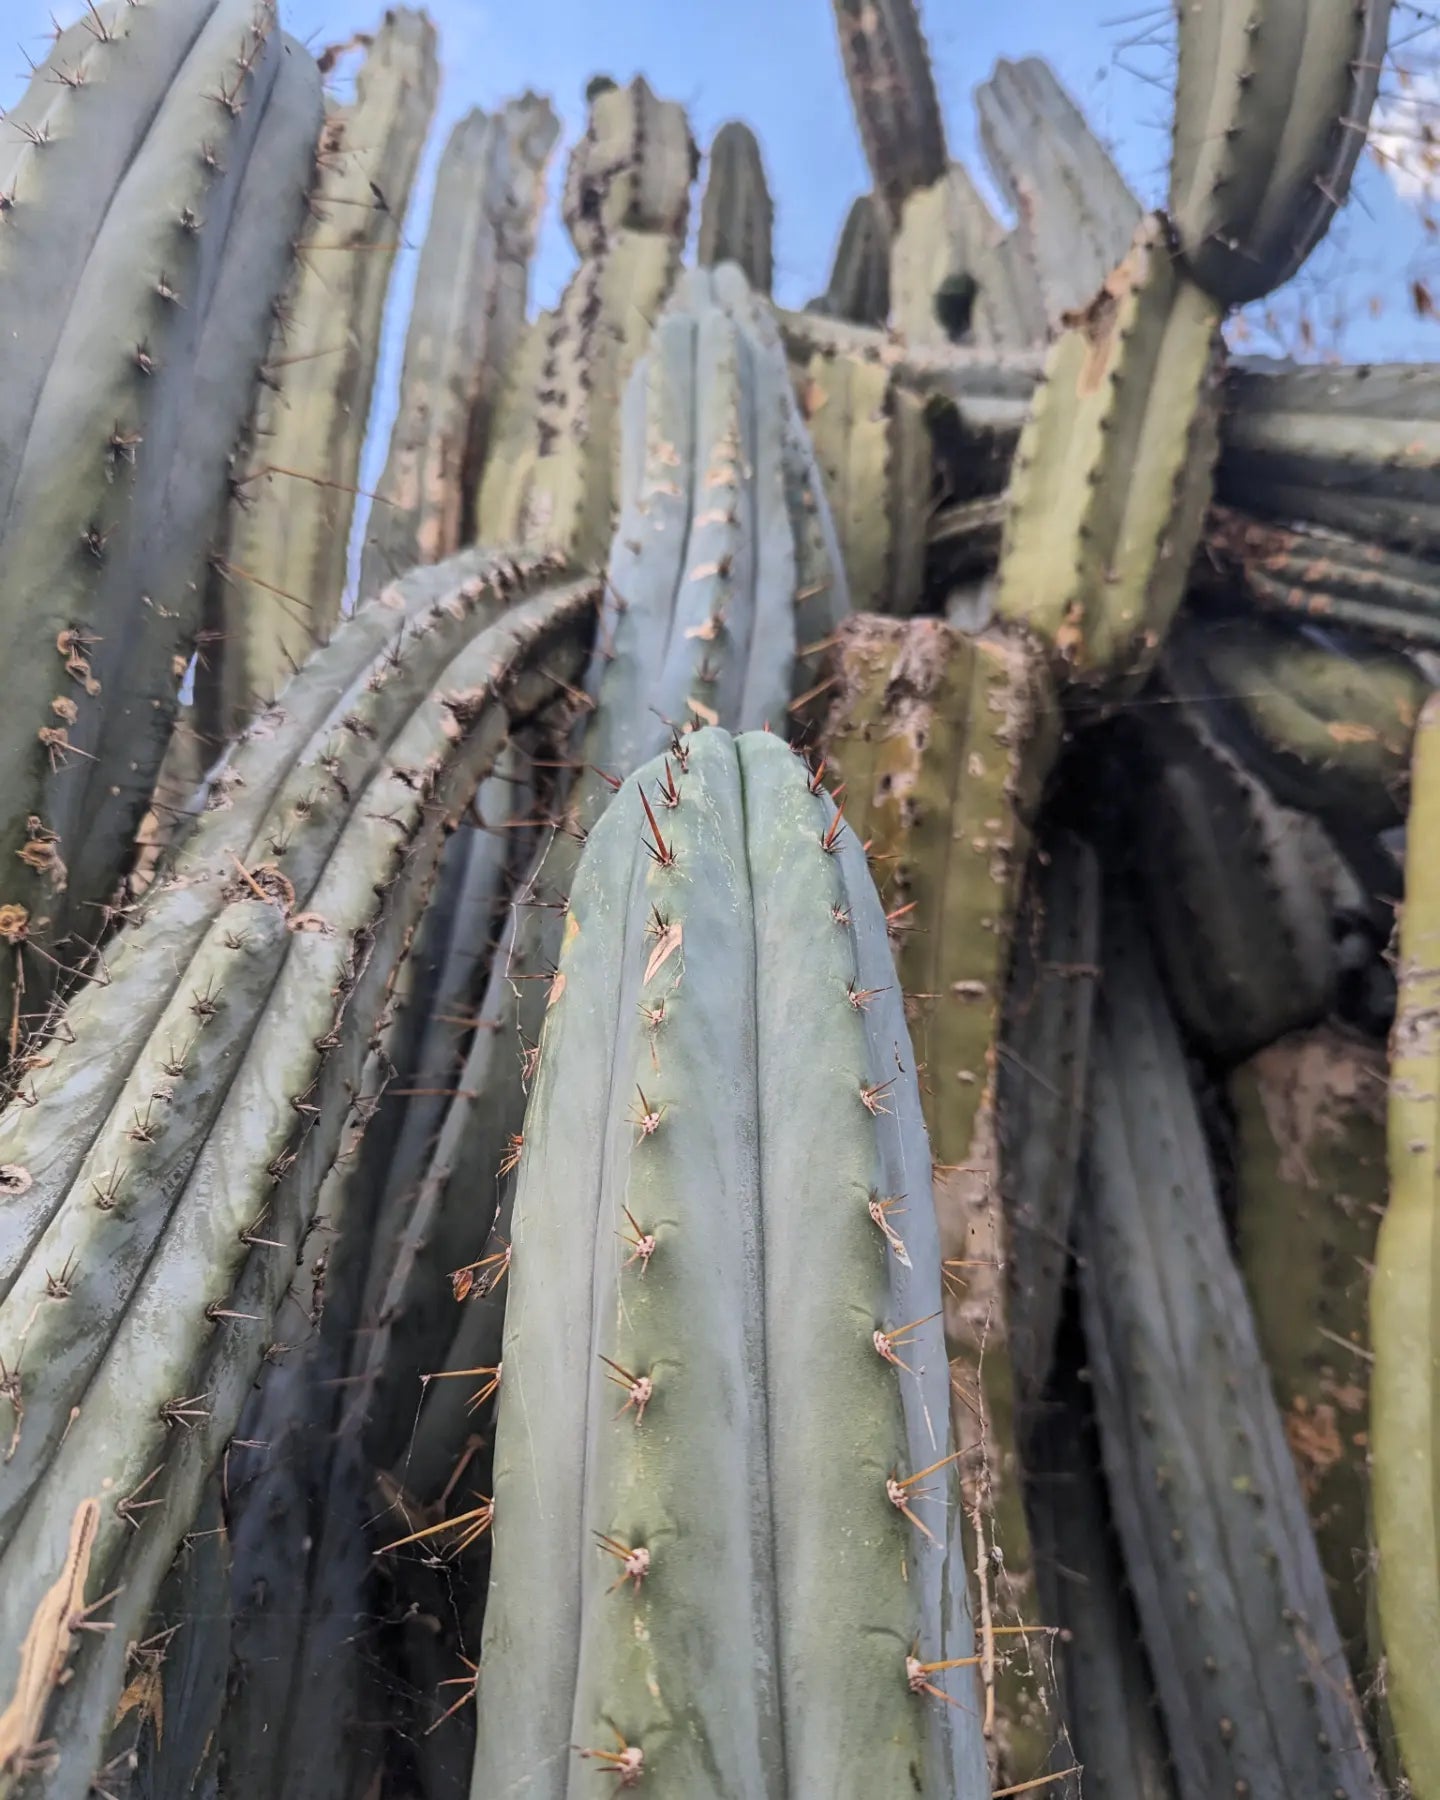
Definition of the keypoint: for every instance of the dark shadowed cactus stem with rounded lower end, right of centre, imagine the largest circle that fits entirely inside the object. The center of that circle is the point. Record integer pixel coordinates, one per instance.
(1239, 892)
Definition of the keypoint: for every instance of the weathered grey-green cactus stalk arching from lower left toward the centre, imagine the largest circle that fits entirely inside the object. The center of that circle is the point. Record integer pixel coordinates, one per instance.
(165, 1174)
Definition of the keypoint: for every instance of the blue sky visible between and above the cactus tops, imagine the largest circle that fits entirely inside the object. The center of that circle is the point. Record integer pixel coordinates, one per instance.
(777, 66)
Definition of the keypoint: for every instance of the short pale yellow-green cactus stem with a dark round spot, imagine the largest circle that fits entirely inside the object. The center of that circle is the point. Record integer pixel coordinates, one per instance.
(955, 278)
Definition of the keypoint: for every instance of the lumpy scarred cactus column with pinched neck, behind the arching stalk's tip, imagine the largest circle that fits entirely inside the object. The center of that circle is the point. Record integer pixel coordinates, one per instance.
(553, 469)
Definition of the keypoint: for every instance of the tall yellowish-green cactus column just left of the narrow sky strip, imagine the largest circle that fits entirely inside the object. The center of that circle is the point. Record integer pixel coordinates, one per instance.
(282, 580)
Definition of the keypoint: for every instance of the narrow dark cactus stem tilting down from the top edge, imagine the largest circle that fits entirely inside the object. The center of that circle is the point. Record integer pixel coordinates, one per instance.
(892, 89)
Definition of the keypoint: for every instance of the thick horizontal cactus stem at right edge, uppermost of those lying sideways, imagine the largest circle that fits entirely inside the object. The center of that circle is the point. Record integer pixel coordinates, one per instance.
(1345, 449)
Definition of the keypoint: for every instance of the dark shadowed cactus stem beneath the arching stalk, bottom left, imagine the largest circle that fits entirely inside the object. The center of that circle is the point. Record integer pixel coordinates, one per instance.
(165, 1741)
